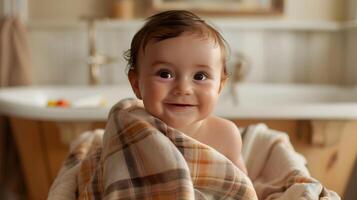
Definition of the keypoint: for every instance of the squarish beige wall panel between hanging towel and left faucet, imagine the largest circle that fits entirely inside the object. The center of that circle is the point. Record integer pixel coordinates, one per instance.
(58, 57)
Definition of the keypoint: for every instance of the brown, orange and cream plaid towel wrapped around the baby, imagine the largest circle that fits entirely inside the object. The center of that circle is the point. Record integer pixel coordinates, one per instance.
(140, 157)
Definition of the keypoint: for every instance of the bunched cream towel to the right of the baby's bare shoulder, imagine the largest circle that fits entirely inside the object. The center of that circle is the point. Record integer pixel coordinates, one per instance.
(276, 170)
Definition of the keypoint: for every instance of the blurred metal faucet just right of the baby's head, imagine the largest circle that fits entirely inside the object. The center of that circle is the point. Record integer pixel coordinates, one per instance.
(239, 72)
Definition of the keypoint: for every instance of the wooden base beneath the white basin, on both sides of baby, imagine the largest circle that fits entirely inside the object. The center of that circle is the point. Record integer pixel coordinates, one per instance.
(43, 147)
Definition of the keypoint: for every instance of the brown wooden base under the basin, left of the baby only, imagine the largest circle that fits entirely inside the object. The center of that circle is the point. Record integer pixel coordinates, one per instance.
(42, 151)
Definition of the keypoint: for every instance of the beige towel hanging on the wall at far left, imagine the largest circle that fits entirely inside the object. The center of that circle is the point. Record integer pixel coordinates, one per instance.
(14, 53)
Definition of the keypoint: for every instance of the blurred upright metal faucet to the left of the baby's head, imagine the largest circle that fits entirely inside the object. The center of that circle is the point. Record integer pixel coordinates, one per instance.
(95, 60)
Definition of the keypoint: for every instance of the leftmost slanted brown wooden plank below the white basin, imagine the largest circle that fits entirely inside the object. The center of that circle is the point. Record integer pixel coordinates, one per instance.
(30, 146)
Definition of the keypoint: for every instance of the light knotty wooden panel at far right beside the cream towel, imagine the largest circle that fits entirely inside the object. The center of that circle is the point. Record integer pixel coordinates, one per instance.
(333, 164)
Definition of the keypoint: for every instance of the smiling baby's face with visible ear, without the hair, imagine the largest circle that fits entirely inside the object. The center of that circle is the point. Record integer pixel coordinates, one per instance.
(179, 79)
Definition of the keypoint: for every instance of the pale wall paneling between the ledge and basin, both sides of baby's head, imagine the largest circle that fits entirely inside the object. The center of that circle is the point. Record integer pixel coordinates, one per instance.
(281, 56)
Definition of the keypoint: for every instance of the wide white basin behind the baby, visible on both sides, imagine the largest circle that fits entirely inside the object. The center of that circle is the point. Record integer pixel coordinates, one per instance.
(255, 101)
